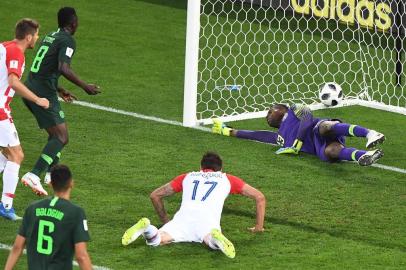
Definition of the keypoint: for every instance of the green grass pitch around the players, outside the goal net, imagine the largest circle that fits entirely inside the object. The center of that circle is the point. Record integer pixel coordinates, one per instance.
(319, 215)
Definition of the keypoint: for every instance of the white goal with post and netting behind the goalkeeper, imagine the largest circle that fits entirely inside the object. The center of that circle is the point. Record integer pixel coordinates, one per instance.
(242, 56)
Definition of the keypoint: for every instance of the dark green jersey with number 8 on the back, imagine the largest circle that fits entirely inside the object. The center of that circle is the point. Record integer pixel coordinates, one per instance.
(58, 46)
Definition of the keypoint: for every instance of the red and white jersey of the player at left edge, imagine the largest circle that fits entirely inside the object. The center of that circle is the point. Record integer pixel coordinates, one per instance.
(12, 60)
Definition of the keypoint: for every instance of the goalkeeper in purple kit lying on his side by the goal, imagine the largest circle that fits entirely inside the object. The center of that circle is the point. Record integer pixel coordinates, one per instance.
(299, 131)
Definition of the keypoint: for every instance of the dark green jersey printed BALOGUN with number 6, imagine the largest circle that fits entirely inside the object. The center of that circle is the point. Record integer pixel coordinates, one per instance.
(52, 227)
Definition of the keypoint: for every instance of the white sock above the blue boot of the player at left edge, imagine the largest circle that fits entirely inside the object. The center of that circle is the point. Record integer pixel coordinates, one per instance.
(10, 181)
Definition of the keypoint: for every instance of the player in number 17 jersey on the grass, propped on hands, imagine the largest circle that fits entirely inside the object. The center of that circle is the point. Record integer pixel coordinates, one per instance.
(198, 219)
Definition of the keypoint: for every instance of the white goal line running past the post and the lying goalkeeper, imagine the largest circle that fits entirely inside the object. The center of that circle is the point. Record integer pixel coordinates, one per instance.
(176, 123)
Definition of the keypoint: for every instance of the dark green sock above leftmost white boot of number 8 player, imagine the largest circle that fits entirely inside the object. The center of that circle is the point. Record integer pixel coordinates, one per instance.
(48, 156)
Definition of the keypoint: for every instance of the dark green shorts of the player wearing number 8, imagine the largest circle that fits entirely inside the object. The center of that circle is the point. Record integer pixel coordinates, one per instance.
(47, 118)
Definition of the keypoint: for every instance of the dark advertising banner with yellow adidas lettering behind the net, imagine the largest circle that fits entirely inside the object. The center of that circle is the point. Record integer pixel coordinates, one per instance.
(375, 14)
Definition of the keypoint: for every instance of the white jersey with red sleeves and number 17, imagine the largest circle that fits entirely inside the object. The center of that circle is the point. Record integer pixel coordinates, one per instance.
(204, 194)
